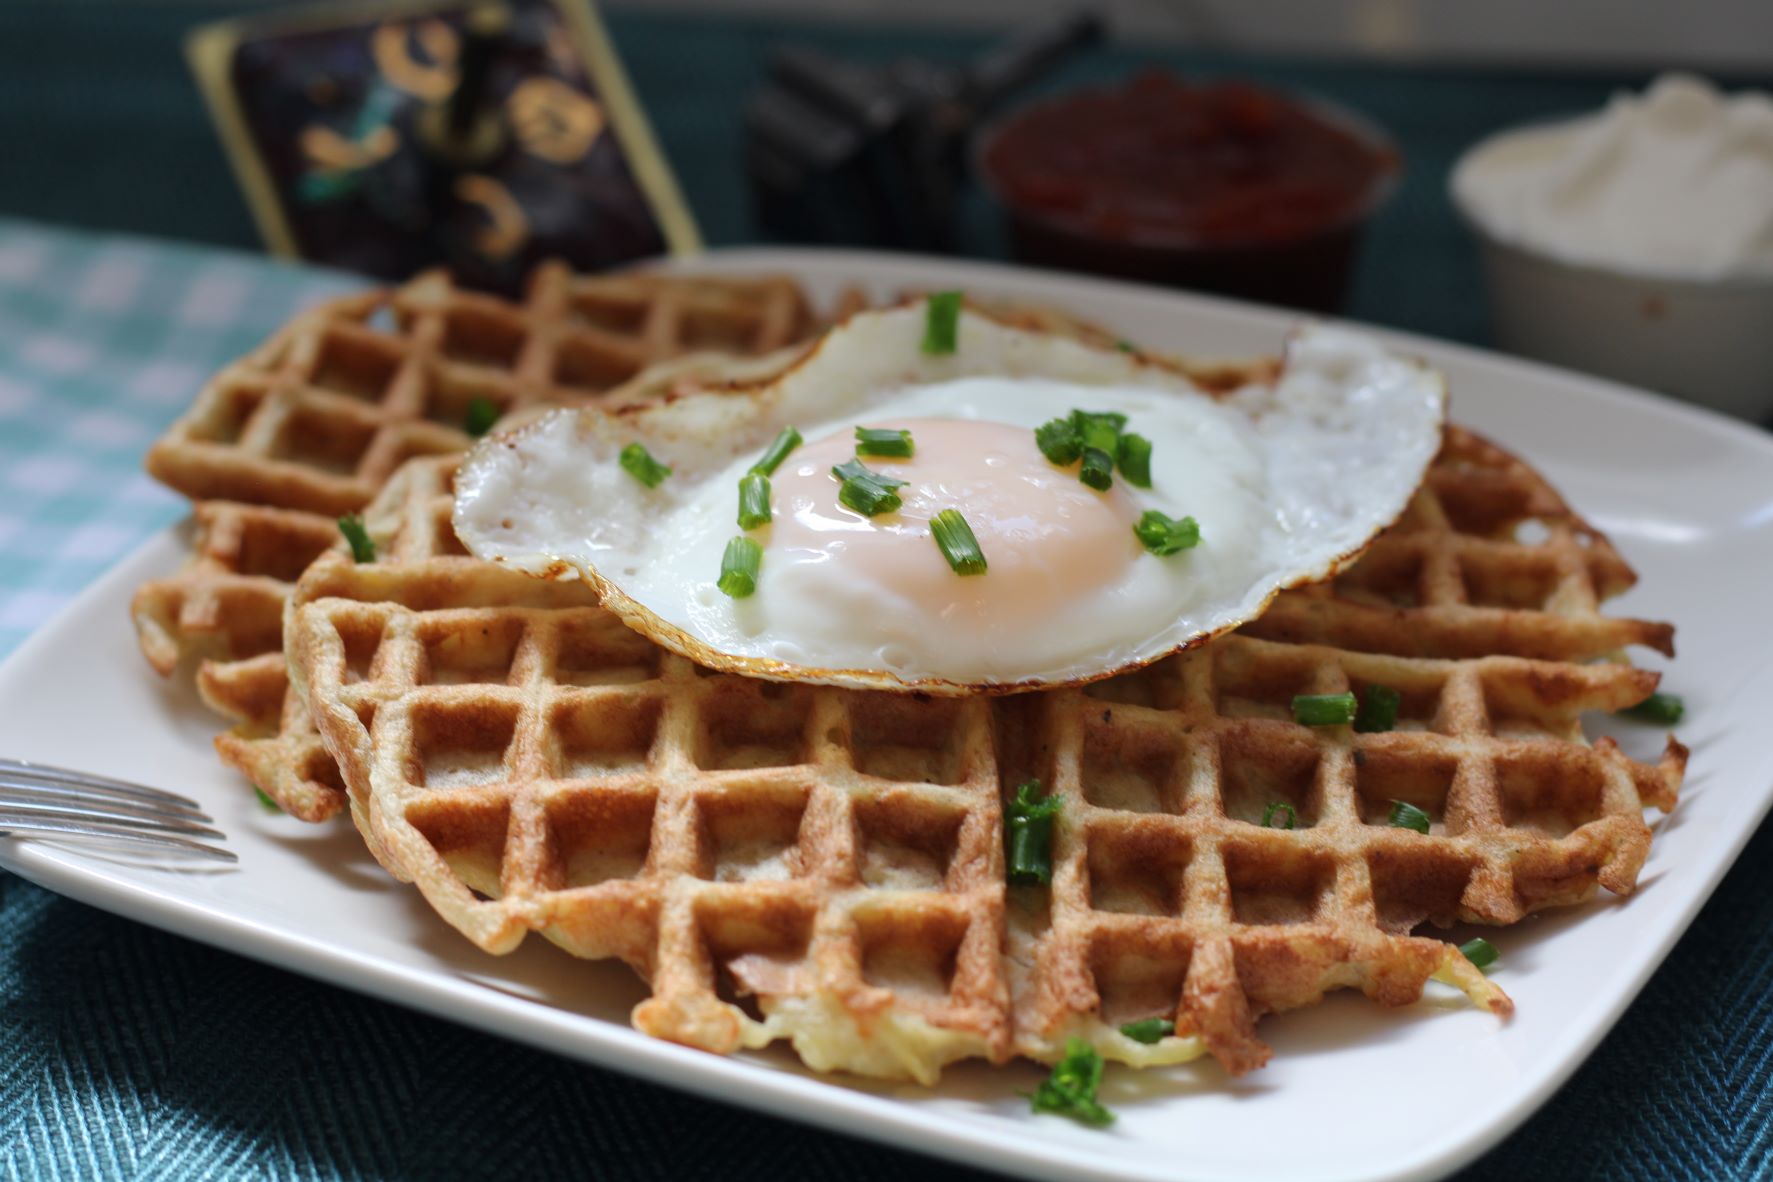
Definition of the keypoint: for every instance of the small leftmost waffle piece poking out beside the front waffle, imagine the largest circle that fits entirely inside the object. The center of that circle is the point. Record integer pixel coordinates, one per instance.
(226, 610)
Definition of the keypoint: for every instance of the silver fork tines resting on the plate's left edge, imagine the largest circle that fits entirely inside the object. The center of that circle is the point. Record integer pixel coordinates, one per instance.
(59, 802)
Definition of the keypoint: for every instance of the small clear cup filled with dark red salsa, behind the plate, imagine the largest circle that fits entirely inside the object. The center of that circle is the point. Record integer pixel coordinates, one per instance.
(1221, 187)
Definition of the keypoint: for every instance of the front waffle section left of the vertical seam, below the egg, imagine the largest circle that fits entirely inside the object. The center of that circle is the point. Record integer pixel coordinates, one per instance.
(535, 765)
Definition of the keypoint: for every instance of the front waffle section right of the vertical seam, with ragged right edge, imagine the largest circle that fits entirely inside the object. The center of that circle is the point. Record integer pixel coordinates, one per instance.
(1168, 885)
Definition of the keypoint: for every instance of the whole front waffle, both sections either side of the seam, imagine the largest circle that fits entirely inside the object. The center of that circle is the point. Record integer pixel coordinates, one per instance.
(825, 866)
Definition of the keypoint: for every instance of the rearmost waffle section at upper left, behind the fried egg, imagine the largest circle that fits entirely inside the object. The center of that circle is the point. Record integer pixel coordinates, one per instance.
(327, 410)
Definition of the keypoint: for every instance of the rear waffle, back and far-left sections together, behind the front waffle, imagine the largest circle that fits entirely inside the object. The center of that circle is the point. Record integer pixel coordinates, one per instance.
(320, 416)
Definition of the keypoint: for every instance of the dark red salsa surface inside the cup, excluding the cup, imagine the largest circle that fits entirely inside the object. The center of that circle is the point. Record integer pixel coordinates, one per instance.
(1162, 160)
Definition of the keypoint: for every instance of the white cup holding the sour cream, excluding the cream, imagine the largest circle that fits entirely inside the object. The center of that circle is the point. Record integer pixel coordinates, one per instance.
(1705, 341)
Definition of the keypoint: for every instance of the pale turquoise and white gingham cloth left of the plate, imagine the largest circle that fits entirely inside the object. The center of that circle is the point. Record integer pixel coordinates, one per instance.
(104, 341)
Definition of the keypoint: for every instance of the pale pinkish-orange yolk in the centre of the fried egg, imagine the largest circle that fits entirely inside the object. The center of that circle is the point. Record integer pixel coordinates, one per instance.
(1049, 540)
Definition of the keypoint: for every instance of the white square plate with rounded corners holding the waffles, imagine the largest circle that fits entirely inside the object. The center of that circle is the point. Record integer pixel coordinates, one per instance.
(1687, 497)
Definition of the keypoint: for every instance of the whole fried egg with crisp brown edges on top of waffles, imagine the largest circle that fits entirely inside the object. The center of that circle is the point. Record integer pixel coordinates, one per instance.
(1286, 479)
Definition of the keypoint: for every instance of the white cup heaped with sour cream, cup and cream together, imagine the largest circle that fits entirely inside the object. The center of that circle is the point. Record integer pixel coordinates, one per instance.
(1637, 242)
